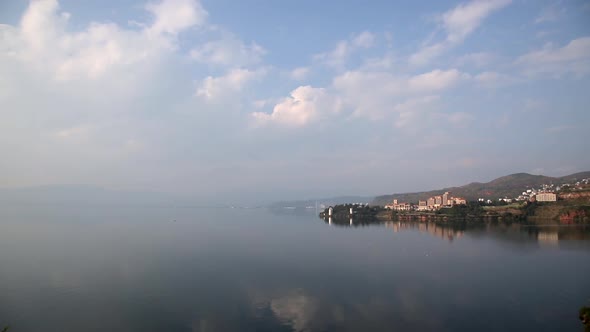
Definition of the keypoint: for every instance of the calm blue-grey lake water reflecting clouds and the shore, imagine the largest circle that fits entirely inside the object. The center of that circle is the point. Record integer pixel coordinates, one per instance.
(196, 269)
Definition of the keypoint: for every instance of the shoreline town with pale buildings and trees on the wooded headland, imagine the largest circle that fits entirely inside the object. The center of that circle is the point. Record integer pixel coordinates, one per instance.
(571, 199)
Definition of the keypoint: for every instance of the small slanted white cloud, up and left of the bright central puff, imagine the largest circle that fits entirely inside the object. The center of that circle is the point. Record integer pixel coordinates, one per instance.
(218, 88)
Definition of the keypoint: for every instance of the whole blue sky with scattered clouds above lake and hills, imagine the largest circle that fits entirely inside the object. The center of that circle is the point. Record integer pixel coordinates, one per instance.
(268, 100)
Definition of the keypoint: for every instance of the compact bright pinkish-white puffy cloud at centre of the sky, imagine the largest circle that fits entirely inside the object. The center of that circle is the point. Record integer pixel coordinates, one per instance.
(306, 104)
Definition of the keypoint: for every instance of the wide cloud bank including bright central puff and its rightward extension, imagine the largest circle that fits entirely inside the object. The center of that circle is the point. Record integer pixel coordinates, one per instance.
(365, 94)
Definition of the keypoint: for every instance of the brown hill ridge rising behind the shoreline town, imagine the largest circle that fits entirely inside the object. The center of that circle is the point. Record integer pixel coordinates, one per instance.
(507, 186)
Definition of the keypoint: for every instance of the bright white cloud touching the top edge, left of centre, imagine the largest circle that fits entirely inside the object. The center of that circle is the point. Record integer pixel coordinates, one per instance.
(174, 16)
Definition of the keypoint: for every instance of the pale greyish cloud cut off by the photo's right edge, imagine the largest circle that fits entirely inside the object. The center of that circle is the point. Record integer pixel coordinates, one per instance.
(572, 58)
